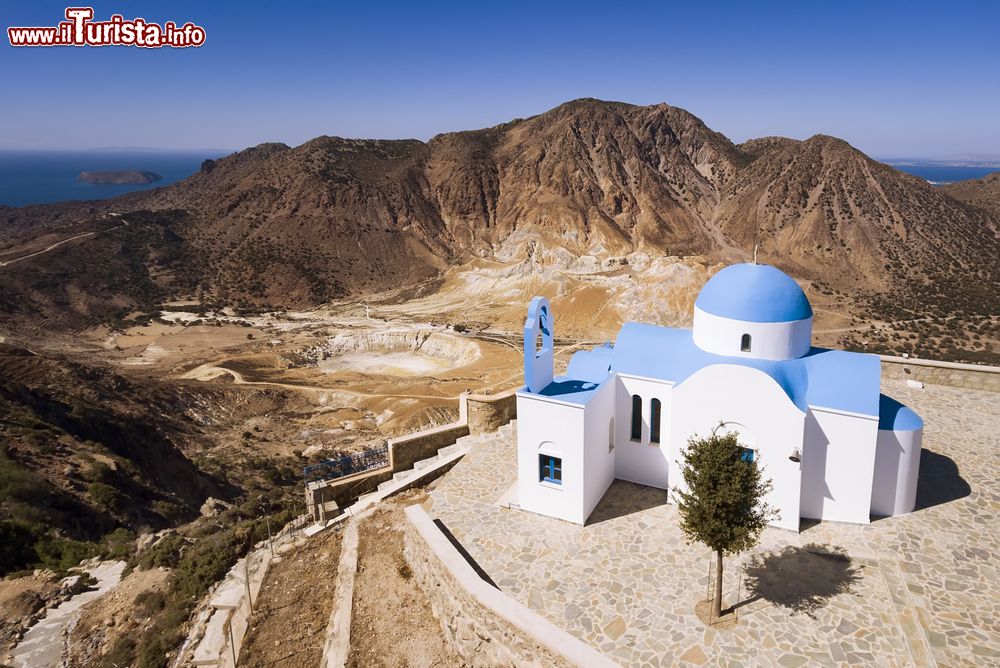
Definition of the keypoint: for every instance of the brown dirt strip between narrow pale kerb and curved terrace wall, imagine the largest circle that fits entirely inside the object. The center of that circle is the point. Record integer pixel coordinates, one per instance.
(392, 624)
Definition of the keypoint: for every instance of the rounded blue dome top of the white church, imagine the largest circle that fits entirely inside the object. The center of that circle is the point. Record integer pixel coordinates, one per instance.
(754, 293)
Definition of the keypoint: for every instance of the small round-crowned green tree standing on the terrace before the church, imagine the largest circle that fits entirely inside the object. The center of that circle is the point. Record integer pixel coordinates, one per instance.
(723, 506)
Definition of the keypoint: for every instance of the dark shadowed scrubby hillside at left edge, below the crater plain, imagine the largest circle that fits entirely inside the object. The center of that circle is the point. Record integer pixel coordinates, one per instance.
(86, 451)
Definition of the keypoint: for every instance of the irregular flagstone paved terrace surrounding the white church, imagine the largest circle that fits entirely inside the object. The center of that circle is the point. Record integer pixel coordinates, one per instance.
(913, 590)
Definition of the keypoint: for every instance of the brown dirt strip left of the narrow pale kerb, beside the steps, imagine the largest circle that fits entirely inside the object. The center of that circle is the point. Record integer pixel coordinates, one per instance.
(288, 626)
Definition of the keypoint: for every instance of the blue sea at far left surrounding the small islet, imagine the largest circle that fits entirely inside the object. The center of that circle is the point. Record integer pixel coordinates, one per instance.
(42, 177)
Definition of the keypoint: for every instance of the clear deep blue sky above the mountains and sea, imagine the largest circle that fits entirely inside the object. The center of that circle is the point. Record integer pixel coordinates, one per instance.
(892, 78)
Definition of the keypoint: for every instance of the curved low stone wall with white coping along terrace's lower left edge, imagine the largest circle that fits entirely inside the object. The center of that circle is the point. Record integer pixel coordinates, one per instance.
(484, 625)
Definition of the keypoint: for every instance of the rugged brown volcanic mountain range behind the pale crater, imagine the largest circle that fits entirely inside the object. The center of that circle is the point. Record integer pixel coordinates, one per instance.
(332, 217)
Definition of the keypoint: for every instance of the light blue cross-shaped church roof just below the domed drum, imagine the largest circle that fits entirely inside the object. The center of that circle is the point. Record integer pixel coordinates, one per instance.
(833, 379)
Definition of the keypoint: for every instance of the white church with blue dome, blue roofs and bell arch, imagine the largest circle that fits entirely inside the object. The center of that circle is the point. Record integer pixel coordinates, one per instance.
(815, 419)
